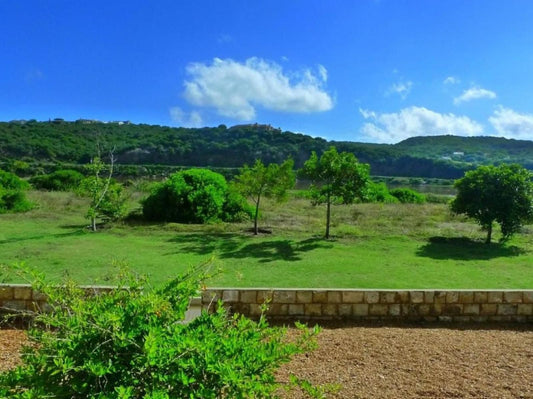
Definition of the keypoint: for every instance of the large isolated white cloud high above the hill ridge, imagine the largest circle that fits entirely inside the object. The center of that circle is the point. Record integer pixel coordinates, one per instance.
(235, 89)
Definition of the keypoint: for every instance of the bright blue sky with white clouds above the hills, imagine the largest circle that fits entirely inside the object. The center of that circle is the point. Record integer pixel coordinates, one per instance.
(366, 70)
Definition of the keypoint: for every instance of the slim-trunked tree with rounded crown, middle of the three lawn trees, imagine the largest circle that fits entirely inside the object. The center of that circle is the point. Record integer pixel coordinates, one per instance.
(336, 178)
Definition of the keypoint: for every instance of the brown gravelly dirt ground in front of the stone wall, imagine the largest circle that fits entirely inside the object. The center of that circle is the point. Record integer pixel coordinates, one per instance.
(402, 361)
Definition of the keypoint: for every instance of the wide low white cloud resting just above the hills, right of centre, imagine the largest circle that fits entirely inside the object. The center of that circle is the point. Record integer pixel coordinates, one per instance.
(415, 121)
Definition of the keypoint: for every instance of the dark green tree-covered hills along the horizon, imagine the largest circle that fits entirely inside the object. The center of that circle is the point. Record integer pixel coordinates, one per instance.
(65, 142)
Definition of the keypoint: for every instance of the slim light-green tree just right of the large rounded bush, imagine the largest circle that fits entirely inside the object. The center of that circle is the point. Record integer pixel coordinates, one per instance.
(272, 181)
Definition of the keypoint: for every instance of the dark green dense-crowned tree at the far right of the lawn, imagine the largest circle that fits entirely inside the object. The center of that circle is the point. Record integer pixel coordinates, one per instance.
(502, 194)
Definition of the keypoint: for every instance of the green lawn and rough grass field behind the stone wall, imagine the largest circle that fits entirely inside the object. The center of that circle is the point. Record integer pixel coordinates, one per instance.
(374, 246)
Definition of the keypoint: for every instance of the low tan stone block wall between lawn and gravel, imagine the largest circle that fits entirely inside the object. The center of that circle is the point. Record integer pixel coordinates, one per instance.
(341, 304)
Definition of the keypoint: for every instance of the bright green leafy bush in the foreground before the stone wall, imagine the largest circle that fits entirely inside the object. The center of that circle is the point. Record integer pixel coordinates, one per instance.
(133, 343)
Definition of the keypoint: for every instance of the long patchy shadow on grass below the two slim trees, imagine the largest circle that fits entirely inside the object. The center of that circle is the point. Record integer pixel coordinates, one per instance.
(236, 246)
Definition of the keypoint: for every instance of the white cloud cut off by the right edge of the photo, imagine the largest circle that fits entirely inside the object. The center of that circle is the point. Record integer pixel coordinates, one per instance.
(511, 124)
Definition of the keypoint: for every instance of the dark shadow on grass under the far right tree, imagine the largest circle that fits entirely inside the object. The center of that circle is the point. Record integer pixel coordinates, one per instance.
(463, 248)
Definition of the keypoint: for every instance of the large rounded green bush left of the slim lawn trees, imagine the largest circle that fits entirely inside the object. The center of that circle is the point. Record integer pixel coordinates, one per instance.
(194, 196)
